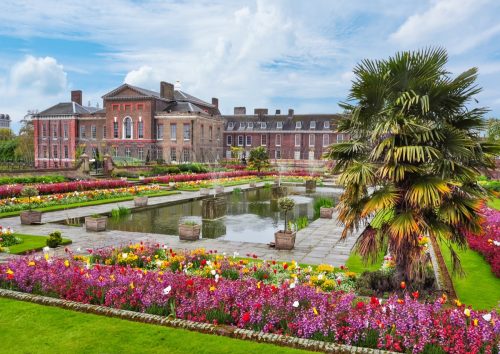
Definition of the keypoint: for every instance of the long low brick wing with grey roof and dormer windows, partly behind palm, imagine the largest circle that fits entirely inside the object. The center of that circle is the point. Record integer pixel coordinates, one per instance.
(285, 136)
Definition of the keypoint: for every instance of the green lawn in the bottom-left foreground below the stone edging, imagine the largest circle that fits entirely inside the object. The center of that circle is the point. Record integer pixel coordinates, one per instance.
(33, 328)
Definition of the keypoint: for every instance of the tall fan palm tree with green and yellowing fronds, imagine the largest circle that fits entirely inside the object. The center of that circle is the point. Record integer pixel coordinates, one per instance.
(411, 166)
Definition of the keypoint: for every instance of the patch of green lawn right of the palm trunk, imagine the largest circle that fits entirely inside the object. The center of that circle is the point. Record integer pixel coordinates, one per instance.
(480, 287)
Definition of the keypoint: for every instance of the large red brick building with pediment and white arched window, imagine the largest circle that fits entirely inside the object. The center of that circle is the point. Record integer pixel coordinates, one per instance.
(134, 123)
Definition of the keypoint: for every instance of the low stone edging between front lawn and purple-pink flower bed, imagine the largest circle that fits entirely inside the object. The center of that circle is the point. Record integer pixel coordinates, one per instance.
(227, 331)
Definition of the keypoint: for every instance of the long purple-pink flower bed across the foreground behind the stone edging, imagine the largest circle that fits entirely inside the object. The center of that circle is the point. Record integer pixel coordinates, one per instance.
(400, 324)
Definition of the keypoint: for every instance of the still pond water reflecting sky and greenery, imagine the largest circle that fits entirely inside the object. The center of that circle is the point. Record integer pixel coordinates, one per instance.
(251, 216)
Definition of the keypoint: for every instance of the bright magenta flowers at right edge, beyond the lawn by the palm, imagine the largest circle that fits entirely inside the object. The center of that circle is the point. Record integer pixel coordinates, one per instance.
(488, 243)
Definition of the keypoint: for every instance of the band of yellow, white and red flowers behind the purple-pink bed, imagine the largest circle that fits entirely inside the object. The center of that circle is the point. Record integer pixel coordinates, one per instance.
(210, 264)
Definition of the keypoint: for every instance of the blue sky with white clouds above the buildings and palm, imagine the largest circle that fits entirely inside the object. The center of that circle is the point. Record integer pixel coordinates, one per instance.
(275, 54)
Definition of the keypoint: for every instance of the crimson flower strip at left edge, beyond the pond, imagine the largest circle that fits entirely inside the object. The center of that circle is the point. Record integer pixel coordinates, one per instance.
(15, 190)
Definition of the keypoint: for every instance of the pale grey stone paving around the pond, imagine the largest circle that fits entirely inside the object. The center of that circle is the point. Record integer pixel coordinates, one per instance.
(318, 243)
